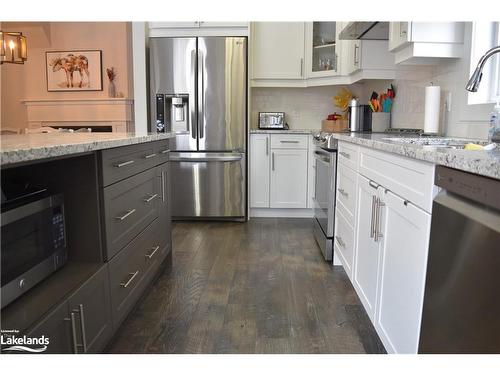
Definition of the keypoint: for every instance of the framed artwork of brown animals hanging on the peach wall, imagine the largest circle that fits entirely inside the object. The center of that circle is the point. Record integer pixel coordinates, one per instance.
(79, 70)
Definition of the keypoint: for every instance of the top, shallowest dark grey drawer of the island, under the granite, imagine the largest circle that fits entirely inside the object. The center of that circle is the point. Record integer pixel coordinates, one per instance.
(122, 162)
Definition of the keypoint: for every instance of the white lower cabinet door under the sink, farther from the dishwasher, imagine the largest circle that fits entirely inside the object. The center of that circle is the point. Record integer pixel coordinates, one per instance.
(367, 253)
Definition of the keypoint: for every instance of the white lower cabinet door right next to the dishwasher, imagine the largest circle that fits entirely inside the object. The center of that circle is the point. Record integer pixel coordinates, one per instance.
(405, 229)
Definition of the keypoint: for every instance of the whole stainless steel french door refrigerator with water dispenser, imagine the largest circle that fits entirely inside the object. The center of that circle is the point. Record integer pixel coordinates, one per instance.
(198, 91)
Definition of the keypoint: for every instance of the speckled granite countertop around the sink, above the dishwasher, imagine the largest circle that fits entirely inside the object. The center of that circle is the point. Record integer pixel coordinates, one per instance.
(485, 163)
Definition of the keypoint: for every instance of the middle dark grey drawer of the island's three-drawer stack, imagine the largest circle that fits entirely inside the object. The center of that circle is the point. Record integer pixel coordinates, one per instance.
(129, 206)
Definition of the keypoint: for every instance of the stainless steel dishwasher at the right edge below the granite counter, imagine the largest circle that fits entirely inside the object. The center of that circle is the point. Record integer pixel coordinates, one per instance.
(461, 312)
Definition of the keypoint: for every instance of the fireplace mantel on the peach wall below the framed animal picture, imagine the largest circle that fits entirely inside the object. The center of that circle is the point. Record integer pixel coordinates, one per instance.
(114, 112)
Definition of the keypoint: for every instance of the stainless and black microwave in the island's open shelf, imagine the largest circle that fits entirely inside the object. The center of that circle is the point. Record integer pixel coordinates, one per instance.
(33, 243)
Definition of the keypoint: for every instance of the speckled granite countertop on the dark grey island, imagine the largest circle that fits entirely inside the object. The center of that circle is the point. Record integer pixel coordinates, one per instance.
(18, 148)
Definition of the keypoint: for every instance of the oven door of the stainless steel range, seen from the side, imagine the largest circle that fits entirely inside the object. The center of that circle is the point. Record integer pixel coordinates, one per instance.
(324, 190)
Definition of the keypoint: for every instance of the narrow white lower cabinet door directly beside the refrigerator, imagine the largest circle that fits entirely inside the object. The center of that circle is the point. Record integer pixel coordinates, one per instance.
(259, 170)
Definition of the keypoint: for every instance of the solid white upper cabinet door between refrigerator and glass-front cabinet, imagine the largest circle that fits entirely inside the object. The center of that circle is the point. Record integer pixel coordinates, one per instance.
(277, 50)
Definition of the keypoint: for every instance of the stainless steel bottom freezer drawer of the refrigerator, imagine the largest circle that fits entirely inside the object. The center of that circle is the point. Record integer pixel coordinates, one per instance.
(208, 185)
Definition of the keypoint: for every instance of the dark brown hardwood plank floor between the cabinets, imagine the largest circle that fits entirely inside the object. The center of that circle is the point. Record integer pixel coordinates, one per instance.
(256, 287)
